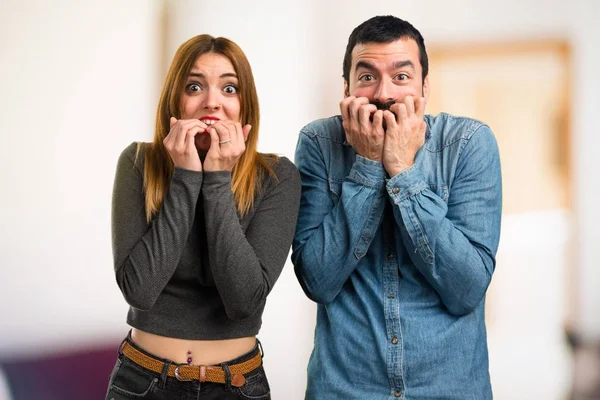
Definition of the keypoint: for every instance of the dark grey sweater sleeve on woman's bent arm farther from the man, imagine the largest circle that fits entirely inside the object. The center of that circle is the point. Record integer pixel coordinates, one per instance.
(146, 255)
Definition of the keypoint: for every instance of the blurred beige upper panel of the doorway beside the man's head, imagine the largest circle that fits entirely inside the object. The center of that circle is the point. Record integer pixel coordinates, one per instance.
(522, 91)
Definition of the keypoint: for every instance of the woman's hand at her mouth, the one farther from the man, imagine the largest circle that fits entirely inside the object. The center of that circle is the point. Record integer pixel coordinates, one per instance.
(180, 143)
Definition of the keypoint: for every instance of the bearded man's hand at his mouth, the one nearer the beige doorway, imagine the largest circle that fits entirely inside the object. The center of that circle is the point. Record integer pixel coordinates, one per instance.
(404, 134)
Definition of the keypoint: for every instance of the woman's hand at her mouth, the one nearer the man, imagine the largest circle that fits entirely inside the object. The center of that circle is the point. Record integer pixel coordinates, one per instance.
(228, 143)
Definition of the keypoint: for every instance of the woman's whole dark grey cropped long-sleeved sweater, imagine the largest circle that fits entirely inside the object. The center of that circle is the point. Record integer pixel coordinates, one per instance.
(198, 270)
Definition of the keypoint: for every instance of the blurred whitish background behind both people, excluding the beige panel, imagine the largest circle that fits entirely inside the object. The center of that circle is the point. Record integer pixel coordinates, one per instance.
(80, 81)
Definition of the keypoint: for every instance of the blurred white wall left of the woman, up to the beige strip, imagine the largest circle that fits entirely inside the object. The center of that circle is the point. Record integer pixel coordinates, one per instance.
(79, 83)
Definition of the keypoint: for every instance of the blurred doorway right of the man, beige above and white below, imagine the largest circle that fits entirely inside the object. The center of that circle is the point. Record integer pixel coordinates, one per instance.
(522, 91)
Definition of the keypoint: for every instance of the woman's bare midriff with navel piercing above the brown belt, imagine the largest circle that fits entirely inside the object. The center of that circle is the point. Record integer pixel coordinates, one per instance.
(201, 352)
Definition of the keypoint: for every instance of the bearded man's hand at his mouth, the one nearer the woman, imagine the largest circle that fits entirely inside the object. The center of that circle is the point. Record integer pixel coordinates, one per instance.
(366, 137)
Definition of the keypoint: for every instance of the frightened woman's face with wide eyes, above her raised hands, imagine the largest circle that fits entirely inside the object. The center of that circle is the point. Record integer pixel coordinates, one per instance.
(211, 94)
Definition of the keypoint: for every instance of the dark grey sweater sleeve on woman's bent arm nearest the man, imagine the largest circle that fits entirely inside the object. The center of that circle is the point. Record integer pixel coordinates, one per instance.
(246, 266)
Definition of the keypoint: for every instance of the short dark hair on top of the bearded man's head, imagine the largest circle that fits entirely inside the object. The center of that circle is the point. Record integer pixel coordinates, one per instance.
(384, 29)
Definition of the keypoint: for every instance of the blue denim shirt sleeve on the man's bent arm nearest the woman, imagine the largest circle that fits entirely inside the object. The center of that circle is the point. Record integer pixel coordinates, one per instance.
(331, 238)
